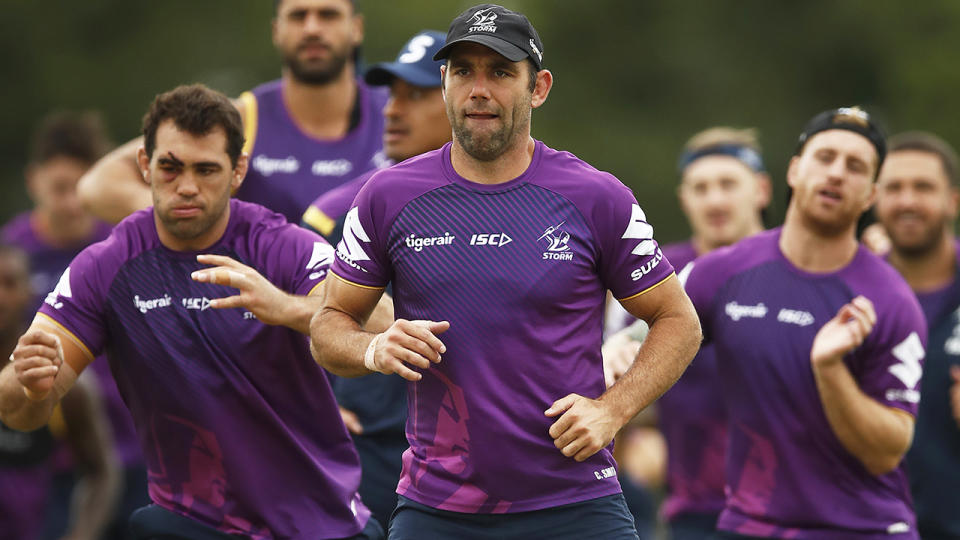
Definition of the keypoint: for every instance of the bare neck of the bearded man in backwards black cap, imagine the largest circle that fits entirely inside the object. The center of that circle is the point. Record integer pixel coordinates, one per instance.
(816, 251)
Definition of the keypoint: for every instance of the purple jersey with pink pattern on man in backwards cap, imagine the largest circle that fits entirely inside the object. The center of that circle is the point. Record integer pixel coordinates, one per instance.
(788, 475)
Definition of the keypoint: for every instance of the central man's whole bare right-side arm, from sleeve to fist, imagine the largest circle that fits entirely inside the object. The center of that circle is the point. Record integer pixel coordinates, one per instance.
(587, 425)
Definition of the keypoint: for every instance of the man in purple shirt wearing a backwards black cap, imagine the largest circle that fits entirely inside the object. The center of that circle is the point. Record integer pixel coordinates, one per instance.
(819, 346)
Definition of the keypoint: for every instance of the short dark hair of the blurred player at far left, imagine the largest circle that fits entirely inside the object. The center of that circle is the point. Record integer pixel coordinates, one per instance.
(74, 134)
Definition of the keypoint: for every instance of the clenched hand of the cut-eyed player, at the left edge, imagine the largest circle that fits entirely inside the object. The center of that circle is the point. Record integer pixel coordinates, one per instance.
(36, 361)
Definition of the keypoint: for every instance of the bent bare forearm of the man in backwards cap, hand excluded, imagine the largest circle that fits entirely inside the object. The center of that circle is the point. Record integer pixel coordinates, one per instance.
(875, 434)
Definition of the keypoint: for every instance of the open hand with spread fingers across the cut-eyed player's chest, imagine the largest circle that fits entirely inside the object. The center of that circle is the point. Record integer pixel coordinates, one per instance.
(257, 294)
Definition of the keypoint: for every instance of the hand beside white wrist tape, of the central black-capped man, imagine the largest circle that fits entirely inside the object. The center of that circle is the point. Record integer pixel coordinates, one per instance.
(406, 342)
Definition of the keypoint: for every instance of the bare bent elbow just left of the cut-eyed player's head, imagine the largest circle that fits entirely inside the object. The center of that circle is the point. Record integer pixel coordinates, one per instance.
(114, 188)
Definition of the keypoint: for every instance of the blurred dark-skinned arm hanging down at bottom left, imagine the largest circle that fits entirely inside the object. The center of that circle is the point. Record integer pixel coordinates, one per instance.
(88, 434)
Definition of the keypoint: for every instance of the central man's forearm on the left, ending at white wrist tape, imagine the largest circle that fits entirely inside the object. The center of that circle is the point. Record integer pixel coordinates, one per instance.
(338, 343)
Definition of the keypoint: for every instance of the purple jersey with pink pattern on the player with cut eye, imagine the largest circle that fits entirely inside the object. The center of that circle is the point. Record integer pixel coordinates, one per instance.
(237, 422)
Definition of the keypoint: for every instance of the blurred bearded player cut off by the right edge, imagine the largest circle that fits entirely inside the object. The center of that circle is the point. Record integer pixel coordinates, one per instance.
(917, 206)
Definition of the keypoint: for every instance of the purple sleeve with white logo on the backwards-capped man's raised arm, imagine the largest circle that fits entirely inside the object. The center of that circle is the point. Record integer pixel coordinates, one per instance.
(889, 368)
